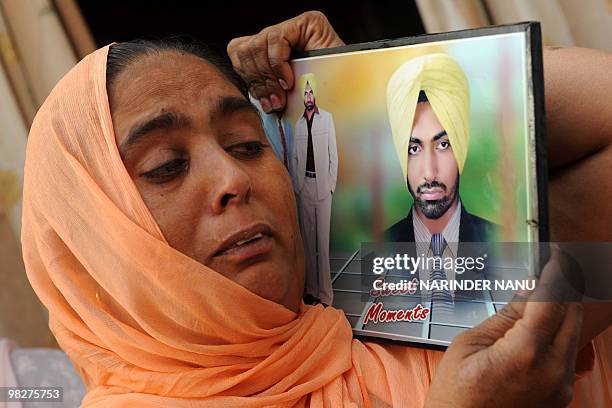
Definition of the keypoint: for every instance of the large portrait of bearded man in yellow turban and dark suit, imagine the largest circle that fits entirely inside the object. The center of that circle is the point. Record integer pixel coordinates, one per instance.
(428, 102)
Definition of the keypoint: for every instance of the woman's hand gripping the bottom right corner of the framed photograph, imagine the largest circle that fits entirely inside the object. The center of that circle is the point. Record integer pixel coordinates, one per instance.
(523, 356)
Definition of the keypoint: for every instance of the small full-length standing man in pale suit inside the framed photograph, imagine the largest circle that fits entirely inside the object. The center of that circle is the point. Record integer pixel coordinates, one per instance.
(315, 162)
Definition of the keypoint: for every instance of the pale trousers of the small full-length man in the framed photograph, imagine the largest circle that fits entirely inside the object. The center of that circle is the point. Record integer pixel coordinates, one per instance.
(315, 218)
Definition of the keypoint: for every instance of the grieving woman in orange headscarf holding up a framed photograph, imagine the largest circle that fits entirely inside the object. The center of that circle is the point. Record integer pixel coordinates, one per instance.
(159, 231)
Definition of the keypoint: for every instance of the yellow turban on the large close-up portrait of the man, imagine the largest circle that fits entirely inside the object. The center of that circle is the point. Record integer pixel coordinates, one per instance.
(447, 90)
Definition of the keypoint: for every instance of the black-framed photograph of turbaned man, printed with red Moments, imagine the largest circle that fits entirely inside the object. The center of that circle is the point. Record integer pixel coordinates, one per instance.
(419, 165)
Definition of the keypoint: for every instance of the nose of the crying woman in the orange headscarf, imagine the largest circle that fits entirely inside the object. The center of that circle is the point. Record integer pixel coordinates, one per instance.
(231, 184)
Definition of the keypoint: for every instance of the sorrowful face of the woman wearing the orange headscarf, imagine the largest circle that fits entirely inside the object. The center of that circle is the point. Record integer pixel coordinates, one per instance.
(197, 152)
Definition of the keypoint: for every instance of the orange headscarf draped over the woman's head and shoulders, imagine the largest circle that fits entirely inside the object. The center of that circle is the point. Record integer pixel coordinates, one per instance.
(147, 326)
